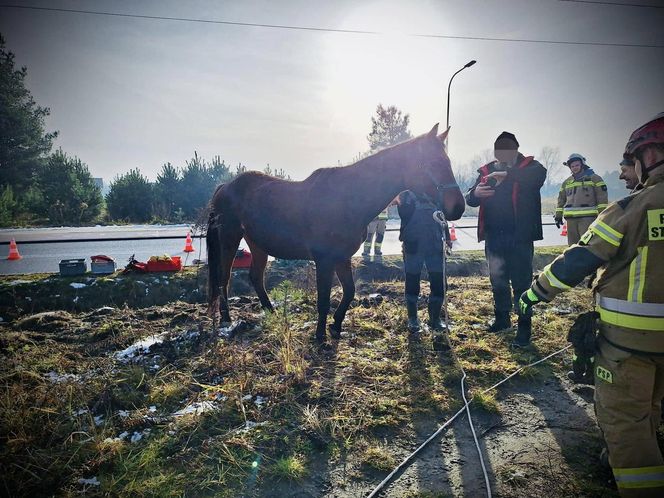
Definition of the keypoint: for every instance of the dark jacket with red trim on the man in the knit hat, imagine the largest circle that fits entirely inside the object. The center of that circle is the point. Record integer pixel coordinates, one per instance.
(518, 195)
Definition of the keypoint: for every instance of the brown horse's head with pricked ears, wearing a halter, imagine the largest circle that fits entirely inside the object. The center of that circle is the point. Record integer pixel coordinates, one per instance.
(429, 171)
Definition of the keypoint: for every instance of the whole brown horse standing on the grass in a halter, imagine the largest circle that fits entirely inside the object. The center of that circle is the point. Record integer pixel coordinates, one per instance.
(323, 218)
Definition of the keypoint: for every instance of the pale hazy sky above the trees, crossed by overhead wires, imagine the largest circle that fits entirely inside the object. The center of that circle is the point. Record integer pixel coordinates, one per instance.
(127, 92)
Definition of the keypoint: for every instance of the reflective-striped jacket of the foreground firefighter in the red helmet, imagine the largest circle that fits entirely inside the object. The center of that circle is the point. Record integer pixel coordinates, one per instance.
(627, 242)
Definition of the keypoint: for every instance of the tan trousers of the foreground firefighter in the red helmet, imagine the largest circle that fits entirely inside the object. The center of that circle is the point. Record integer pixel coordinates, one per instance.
(628, 392)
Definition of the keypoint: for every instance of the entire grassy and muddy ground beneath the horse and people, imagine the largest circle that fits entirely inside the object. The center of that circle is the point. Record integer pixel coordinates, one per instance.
(153, 400)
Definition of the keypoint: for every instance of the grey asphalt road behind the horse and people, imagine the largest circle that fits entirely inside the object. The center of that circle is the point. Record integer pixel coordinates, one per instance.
(45, 257)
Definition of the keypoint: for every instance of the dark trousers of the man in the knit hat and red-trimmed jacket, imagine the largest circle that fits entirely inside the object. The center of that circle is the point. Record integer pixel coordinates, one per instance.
(509, 263)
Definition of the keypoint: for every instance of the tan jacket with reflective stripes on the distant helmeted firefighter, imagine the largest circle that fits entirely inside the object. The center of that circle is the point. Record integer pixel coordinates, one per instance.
(586, 196)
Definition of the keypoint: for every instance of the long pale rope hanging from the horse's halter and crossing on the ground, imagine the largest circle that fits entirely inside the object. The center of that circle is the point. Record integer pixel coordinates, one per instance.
(466, 405)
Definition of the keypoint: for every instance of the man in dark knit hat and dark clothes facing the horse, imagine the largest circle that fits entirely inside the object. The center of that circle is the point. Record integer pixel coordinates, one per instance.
(507, 192)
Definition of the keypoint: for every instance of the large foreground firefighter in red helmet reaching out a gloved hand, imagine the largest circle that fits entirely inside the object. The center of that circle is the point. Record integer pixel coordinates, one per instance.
(627, 242)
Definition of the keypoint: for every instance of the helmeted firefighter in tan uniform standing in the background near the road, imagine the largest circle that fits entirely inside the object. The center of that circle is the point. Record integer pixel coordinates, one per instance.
(581, 198)
